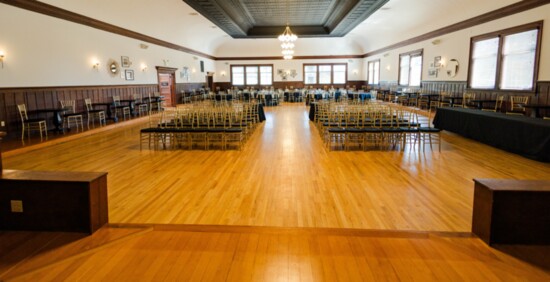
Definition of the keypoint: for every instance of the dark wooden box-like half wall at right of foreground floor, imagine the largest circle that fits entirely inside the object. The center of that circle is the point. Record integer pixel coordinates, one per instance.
(512, 211)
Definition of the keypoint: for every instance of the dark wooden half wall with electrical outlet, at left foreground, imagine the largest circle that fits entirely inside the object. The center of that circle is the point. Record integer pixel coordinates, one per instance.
(53, 201)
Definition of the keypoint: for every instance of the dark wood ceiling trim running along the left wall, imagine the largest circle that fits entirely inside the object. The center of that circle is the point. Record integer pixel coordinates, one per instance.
(49, 10)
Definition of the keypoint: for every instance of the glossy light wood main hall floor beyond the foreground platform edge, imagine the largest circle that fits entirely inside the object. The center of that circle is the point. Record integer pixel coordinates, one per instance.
(285, 177)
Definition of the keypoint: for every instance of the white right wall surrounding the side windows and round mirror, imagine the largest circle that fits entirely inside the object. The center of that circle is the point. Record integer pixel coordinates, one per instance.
(456, 45)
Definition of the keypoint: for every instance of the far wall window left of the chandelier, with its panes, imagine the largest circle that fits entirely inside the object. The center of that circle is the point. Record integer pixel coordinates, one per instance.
(252, 75)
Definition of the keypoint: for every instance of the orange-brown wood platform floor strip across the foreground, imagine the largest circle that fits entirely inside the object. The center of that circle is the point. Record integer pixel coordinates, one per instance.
(206, 253)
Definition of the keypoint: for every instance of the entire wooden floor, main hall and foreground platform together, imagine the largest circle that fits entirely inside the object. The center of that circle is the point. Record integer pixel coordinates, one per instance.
(285, 178)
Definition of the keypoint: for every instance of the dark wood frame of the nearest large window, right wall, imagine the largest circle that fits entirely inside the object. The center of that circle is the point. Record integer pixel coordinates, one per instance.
(501, 34)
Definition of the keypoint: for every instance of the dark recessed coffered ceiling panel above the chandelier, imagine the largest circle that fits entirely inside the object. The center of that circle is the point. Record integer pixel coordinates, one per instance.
(267, 18)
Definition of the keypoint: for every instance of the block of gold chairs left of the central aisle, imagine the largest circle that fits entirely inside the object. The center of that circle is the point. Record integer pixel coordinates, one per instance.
(201, 126)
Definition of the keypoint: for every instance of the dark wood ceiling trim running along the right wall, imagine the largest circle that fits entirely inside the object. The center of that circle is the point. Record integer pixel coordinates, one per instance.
(509, 10)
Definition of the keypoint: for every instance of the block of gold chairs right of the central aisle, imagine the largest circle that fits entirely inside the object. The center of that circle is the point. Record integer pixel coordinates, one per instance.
(374, 125)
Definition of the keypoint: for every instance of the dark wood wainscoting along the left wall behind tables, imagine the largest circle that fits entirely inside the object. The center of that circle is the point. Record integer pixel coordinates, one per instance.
(49, 97)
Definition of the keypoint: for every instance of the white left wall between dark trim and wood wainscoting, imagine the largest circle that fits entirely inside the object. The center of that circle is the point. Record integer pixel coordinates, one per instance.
(46, 51)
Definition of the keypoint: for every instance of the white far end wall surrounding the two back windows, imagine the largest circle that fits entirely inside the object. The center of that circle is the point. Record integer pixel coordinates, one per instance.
(355, 68)
